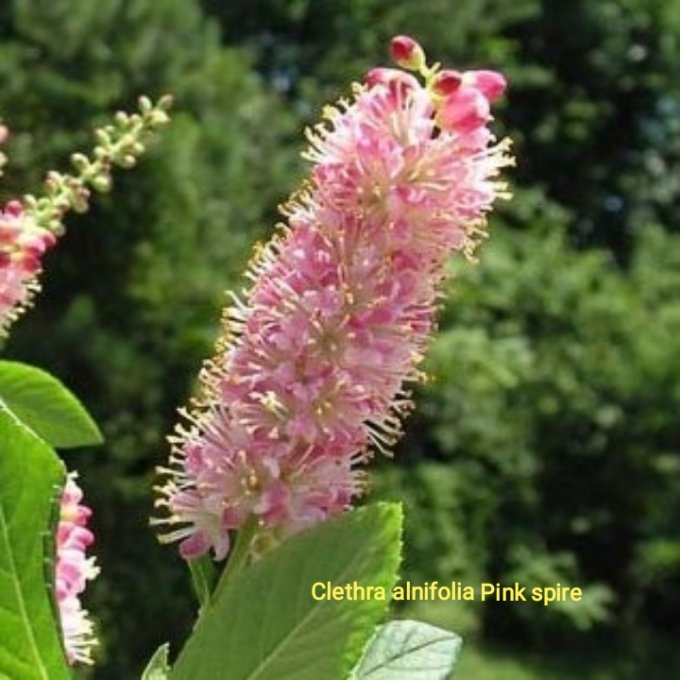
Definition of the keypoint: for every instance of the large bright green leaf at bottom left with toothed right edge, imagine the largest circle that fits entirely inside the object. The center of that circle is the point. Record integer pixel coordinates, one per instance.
(30, 476)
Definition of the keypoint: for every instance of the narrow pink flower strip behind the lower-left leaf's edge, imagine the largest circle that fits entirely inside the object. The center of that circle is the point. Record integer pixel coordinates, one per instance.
(73, 571)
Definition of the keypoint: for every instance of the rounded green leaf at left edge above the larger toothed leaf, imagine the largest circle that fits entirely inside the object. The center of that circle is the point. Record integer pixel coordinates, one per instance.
(46, 406)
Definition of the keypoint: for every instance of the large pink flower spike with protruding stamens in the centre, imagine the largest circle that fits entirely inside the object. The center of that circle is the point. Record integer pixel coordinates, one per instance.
(310, 374)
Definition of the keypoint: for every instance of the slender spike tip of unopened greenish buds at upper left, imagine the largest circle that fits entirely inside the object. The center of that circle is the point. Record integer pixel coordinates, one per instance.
(119, 144)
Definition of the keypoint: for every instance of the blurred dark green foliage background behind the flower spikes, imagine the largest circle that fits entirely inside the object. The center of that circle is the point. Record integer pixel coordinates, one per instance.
(545, 449)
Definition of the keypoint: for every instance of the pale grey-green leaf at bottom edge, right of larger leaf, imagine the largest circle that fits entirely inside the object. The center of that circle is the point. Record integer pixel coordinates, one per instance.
(406, 650)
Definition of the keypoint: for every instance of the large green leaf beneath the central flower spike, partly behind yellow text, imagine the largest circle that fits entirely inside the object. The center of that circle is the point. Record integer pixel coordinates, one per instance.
(265, 624)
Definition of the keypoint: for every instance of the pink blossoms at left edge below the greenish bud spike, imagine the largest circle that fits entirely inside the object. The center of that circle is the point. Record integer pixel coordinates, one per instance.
(22, 246)
